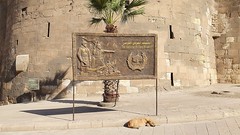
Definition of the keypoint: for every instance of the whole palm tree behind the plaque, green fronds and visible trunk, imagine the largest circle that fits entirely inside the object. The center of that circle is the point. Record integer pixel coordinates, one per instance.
(109, 12)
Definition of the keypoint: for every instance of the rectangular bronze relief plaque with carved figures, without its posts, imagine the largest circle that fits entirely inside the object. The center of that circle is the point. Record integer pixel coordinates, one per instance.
(114, 56)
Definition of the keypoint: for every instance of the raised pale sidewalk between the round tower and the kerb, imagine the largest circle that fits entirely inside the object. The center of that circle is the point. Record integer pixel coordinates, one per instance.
(176, 106)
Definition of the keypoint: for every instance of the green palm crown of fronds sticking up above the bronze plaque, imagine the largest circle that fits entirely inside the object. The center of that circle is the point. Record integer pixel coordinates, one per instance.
(111, 11)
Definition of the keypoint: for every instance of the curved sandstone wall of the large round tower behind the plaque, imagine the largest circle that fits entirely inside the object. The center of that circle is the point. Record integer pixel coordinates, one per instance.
(43, 30)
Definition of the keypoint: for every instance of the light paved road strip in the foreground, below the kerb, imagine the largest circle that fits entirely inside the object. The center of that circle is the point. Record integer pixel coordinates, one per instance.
(226, 126)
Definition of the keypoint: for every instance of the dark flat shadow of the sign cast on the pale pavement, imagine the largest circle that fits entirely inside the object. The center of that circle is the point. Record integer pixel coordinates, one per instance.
(60, 111)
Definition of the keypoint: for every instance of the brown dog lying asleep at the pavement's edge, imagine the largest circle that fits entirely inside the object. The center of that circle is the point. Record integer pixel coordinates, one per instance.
(138, 122)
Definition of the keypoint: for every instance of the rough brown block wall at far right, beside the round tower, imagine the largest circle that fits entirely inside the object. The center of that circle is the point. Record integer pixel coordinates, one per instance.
(227, 43)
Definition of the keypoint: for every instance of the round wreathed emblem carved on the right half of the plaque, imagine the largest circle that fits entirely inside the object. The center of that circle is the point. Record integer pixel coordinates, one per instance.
(137, 61)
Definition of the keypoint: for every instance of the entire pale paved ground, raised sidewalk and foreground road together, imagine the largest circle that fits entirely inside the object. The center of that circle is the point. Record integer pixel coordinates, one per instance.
(207, 113)
